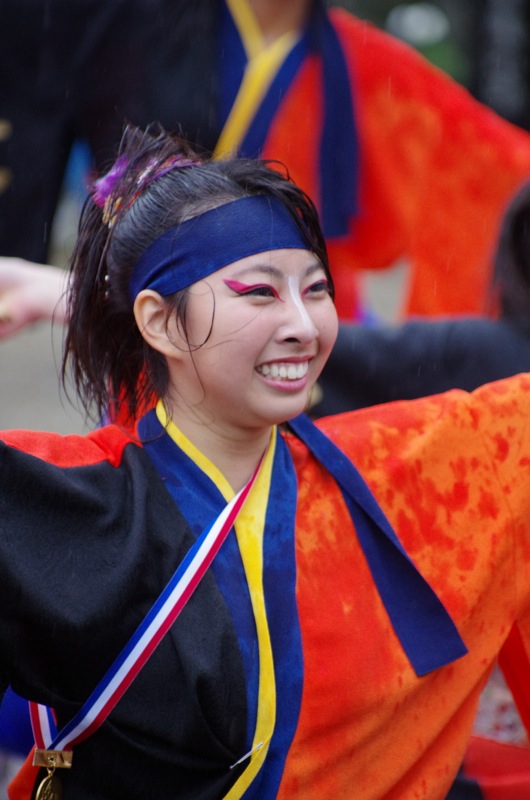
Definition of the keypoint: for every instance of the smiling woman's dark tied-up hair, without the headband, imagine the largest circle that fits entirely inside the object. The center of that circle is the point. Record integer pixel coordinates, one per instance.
(111, 365)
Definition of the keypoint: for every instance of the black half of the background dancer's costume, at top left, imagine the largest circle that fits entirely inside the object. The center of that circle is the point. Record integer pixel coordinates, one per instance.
(76, 71)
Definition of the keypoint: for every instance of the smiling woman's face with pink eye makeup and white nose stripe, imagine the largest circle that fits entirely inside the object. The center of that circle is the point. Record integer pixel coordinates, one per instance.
(259, 331)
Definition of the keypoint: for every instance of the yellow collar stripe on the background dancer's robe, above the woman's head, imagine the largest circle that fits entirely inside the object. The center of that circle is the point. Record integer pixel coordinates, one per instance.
(263, 64)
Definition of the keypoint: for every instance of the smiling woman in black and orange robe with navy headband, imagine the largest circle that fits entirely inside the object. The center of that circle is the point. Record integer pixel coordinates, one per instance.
(214, 601)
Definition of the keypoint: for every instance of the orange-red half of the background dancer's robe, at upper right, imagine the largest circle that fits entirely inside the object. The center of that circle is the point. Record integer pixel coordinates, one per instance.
(437, 170)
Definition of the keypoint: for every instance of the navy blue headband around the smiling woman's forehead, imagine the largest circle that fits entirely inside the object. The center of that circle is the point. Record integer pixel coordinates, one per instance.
(199, 246)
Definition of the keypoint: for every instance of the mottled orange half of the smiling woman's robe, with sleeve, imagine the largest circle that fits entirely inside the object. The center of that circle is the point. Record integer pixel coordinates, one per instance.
(452, 474)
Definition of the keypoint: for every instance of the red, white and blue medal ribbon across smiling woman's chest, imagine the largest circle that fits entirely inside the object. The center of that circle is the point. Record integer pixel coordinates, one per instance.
(144, 641)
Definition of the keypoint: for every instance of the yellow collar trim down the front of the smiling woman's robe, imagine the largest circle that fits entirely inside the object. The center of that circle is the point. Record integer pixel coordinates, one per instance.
(249, 529)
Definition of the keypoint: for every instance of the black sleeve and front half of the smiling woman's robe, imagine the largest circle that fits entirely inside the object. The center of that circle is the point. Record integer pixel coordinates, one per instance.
(84, 552)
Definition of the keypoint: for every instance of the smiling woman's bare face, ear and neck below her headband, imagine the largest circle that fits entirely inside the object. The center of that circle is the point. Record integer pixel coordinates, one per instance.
(276, 337)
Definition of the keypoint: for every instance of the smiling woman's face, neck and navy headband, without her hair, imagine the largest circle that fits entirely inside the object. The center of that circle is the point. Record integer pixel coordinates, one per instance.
(275, 330)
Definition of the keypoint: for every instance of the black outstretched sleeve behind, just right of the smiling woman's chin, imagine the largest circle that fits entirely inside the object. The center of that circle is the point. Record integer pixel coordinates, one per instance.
(372, 365)
